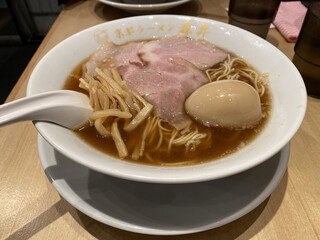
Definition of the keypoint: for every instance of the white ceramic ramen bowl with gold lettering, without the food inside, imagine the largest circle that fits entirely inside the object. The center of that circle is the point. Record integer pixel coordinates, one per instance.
(287, 89)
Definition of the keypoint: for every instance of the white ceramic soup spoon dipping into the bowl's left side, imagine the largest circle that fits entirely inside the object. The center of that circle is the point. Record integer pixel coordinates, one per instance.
(55, 106)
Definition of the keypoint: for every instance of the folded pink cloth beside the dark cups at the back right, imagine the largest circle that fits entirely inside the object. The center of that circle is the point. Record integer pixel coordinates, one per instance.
(289, 19)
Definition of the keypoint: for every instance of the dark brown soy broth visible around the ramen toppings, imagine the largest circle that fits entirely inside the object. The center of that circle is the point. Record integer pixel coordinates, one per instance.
(224, 141)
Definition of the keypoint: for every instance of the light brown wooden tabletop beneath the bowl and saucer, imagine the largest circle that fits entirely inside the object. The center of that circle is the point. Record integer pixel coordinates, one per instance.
(31, 208)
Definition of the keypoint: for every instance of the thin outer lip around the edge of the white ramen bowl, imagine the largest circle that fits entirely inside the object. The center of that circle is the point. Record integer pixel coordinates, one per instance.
(169, 176)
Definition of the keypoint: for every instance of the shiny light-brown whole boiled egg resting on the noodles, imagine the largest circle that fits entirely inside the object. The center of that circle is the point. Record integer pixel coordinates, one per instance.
(225, 103)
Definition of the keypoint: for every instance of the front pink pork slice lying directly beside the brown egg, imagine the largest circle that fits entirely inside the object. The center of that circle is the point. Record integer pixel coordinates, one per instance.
(166, 85)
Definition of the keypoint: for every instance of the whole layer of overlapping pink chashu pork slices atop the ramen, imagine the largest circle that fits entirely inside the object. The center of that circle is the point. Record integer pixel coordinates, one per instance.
(164, 71)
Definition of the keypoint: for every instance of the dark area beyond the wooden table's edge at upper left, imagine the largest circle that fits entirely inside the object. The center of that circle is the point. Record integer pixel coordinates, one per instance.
(23, 25)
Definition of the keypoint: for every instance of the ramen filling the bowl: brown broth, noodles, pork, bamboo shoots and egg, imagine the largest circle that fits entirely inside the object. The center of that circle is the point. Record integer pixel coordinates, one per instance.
(138, 91)
